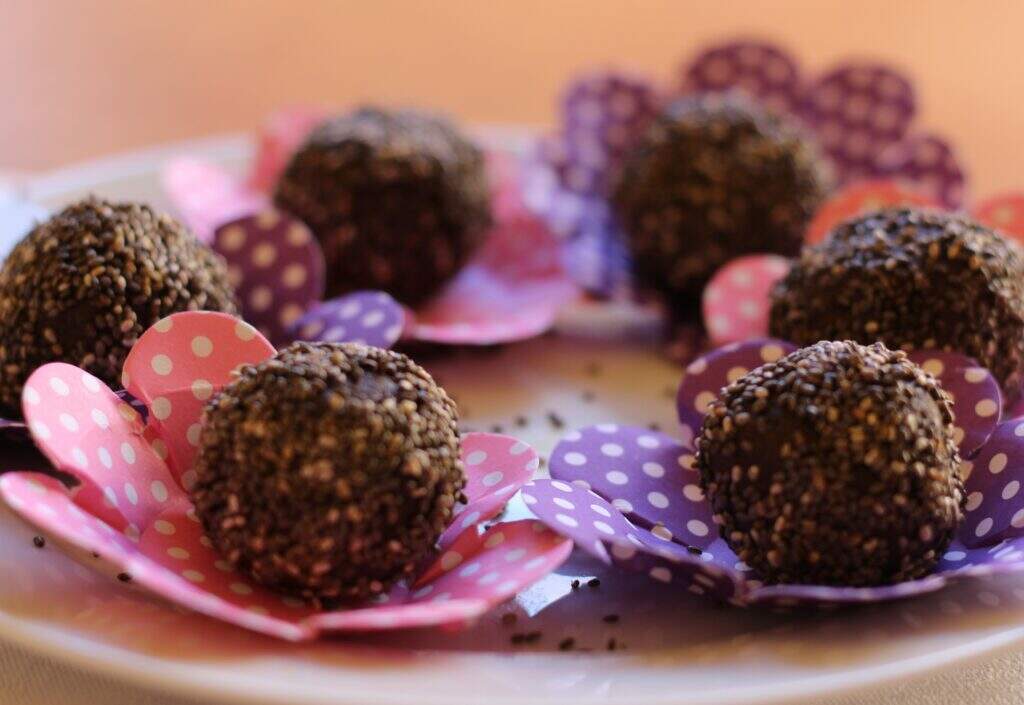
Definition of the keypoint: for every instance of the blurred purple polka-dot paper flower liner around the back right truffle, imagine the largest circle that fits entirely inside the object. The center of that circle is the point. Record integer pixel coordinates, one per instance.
(862, 114)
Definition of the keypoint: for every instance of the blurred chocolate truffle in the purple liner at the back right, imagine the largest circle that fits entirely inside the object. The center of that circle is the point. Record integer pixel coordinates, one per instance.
(713, 179)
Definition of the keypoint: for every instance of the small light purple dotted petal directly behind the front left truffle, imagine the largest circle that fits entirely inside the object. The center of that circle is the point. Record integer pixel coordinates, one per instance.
(368, 317)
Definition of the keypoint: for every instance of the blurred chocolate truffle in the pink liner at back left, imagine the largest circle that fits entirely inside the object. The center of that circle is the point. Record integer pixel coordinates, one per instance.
(399, 200)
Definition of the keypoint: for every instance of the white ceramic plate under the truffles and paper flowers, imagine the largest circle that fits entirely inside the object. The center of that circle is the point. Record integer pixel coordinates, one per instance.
(671, 647)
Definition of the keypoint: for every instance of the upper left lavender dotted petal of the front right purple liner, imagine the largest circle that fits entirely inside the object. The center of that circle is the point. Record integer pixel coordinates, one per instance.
(648, 475)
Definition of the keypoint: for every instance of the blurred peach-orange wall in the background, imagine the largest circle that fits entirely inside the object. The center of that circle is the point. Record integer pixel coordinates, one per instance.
(83, 78)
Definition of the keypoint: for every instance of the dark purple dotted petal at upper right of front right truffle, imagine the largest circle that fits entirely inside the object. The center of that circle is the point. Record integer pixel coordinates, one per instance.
(977, 399)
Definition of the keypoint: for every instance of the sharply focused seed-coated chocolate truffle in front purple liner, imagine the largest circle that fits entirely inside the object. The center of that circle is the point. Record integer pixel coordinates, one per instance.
(834, 466)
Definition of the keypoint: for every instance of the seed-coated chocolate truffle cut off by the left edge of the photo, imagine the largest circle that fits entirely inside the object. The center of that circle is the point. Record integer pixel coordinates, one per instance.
(83, 286)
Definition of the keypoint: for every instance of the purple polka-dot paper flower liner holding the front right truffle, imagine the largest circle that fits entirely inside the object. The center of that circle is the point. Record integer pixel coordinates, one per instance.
(632, 497)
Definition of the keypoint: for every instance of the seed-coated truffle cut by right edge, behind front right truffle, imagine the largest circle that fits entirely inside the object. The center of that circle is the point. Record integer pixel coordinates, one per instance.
(911, 279)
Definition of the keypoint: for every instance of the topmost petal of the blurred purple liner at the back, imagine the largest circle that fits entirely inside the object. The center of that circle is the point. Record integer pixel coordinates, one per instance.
(763, 71)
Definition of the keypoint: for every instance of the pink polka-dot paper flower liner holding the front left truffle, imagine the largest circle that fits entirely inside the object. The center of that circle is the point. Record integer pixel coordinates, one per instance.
(132, 506)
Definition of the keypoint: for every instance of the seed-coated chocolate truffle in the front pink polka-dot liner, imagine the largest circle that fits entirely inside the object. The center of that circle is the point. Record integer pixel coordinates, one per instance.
(329, 471)
